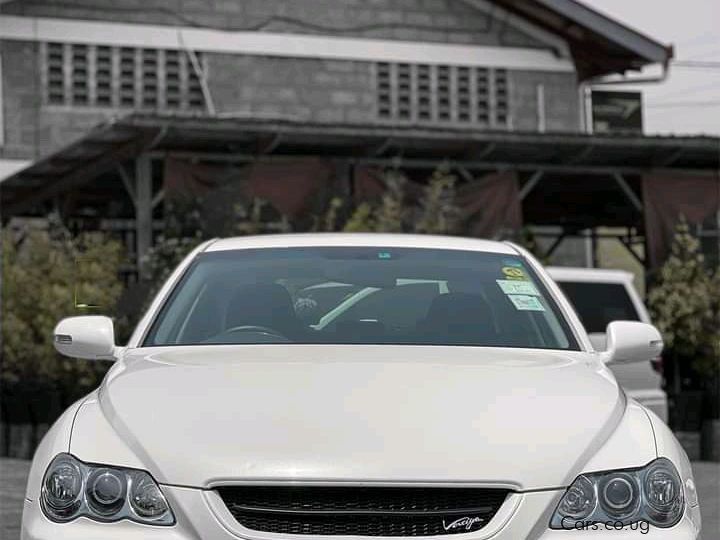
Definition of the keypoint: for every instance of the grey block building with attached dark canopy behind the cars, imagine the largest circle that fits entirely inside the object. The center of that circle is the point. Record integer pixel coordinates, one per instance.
(107, 107)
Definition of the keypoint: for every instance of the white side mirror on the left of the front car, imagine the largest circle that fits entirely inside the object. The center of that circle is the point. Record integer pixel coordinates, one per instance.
(91, 337)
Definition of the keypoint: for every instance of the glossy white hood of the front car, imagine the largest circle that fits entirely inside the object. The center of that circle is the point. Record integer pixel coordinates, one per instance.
(201, 416)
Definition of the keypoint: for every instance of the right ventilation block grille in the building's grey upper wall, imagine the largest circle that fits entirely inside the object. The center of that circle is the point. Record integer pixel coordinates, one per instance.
(425, 93)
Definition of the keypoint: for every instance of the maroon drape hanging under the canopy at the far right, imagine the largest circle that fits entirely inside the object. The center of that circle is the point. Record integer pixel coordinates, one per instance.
(667, 196)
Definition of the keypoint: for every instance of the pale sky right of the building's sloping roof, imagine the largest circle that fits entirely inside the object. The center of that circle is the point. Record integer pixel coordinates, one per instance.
(689, 101)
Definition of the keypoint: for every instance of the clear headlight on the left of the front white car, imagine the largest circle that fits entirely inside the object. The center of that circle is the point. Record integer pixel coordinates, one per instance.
(72, 489)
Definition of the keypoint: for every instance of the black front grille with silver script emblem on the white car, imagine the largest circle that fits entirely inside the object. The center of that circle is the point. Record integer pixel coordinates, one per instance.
(362, 511)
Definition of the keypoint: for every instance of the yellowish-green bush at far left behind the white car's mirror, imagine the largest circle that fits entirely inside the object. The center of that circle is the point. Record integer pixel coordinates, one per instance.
(48, 276)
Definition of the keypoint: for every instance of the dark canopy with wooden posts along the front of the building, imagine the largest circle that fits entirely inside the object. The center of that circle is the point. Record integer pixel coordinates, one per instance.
(574, 181)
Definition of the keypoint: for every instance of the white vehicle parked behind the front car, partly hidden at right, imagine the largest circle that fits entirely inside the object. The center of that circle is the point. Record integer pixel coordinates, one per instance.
(599, 297)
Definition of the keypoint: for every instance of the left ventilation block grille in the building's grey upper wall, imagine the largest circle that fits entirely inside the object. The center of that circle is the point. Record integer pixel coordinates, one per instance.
(121, 77)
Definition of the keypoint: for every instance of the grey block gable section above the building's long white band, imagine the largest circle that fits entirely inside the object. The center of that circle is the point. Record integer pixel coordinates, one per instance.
(445, 21)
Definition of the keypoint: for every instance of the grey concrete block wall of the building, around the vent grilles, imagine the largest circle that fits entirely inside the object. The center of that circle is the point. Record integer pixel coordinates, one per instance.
(319, 90)
